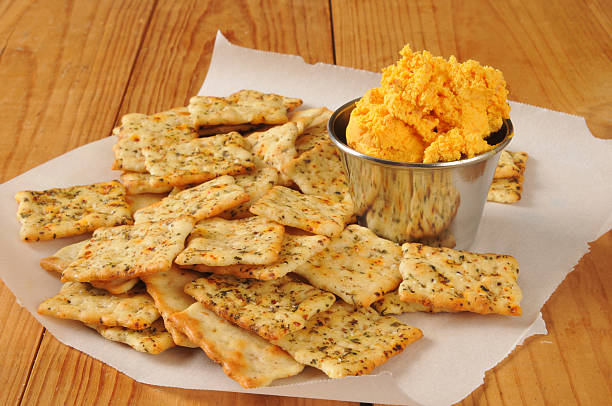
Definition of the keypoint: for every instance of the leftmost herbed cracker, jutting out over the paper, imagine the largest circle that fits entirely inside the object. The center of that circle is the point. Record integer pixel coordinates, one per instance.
(54, 213)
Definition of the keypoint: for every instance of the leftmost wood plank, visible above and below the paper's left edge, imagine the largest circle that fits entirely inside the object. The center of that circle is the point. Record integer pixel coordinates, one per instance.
(60, 71)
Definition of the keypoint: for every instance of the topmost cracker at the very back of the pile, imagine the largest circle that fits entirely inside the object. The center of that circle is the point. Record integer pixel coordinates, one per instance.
(245, 106)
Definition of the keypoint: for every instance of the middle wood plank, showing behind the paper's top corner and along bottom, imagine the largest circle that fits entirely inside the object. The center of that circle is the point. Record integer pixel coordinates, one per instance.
(171, 67)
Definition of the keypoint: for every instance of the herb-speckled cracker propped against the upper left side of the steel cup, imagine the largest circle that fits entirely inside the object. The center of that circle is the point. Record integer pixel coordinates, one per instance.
(319, 171)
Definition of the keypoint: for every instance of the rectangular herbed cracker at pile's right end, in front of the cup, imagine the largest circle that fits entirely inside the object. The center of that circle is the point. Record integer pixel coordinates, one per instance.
(451, 280)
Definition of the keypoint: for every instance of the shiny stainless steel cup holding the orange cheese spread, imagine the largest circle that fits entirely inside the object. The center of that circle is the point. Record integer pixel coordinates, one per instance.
(438, 204)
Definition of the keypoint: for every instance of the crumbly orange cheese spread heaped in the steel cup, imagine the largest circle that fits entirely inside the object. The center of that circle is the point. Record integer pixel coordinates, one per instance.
(428, 109)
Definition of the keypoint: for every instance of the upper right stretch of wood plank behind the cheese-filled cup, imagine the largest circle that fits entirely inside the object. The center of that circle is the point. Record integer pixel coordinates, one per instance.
(553, 54)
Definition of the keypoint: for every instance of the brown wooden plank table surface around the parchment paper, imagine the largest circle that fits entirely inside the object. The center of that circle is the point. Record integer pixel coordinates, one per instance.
(70, 69)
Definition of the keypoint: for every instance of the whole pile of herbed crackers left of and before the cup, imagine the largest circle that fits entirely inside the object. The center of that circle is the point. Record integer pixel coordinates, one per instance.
(231, 231)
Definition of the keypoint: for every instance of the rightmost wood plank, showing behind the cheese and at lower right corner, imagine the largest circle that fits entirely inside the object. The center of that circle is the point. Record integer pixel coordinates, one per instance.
(538, 47)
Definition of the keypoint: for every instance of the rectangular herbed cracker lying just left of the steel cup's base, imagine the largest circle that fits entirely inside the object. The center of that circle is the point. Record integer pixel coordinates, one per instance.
(319, 215)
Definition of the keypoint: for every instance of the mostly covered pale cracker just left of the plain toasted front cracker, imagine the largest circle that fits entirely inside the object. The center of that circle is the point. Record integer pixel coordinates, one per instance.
(167, 290)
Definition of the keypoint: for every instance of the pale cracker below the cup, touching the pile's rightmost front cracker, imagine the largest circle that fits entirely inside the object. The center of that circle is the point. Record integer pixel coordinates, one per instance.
(358, 266)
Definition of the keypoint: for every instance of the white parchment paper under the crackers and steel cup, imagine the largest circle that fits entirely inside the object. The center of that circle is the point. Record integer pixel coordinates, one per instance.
(566, 203)
